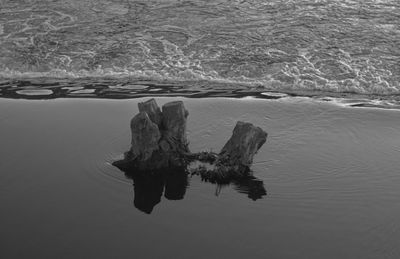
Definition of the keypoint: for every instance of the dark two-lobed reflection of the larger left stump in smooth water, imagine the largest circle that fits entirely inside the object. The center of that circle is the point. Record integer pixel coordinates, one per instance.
(148, 188)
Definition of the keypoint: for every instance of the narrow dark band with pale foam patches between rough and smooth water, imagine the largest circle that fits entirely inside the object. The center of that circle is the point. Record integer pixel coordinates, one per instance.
(132, 88)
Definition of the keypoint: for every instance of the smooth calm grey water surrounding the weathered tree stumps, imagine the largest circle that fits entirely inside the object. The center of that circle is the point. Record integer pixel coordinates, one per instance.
(331, 174)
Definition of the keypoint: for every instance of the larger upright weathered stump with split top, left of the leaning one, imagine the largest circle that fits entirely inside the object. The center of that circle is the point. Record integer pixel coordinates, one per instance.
(158, 138)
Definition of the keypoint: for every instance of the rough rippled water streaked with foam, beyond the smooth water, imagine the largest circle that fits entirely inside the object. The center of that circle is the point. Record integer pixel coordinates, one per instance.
(328, 46)
